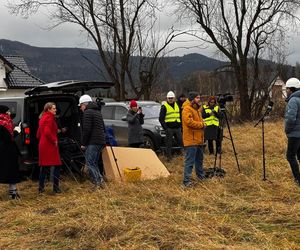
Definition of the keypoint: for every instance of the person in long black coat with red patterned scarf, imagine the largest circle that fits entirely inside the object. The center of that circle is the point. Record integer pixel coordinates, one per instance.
(9, 154)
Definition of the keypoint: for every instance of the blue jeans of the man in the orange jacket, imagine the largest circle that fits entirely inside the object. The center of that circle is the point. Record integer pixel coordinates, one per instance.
(193, 156)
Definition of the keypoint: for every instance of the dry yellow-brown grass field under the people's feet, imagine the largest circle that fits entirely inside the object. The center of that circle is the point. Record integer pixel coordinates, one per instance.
(240, 211)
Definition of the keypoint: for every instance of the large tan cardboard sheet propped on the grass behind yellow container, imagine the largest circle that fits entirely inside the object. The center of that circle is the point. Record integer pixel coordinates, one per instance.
(145, 159)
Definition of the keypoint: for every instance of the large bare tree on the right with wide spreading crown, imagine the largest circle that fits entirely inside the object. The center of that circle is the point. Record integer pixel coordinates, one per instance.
(242, 30)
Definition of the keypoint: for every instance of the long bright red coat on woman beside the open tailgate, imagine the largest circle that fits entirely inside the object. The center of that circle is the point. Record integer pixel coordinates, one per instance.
(47, 135)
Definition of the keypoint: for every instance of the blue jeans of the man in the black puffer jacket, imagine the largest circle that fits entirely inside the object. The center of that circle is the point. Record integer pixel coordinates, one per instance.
(92, 155)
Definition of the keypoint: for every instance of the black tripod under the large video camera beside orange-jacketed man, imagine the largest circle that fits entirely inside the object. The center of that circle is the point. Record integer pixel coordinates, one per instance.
(223, 119)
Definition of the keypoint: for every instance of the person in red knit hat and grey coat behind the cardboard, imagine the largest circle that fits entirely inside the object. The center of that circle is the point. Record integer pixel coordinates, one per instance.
(135, 119)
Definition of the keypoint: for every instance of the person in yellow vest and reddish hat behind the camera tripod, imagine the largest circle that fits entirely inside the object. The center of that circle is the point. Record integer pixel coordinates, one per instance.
(211, 115)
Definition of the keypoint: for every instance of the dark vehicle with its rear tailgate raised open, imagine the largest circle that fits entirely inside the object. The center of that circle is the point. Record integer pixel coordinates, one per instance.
(27, 110)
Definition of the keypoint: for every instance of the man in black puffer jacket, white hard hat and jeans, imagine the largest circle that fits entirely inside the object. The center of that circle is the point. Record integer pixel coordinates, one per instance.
(92, 138)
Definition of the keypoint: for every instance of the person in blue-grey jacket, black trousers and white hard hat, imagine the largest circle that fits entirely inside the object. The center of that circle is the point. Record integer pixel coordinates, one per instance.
(292, 126)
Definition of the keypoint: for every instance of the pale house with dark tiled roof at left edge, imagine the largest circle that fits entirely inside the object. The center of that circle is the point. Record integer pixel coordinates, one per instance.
(15, 76)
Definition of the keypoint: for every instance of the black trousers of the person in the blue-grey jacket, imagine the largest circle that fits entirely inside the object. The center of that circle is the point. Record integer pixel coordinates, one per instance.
(293, 155)
